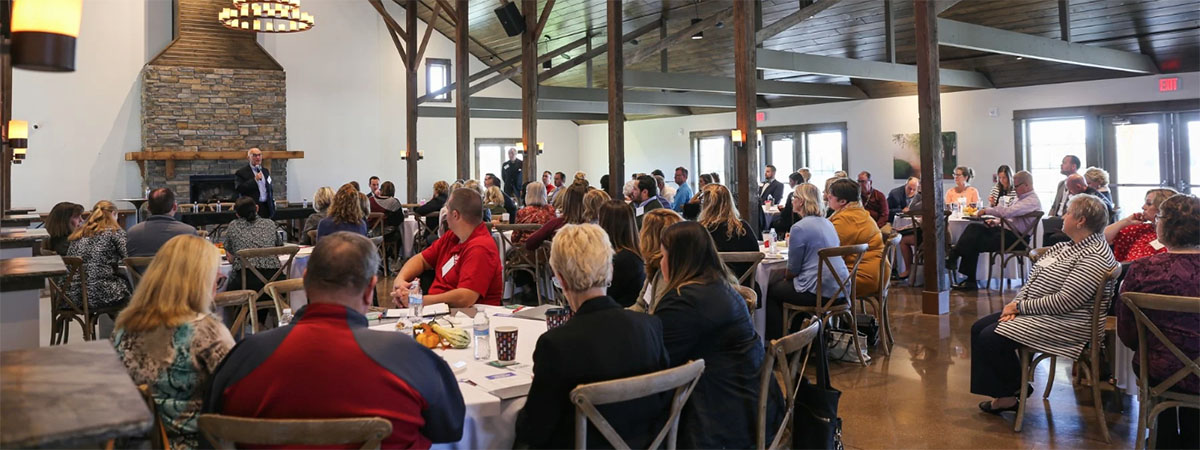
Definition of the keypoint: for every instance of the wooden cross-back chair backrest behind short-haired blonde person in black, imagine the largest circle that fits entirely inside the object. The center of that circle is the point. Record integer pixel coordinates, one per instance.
(587, 397)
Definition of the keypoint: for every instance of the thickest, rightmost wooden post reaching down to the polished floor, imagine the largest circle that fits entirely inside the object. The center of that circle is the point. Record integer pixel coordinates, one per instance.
(935, 296)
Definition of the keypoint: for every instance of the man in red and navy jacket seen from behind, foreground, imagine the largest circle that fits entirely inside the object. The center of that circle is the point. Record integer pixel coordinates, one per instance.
(328, 364)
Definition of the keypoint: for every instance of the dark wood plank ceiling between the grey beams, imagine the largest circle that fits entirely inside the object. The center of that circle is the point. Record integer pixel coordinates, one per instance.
(1167, 31)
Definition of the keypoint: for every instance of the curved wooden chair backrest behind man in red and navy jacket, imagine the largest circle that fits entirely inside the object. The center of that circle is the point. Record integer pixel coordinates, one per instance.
(225, 431)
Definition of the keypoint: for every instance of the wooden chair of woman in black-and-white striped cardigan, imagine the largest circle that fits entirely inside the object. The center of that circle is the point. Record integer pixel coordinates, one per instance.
(1089, 362)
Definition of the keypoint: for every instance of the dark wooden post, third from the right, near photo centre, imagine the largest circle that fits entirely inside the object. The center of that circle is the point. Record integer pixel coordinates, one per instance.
(616, 103)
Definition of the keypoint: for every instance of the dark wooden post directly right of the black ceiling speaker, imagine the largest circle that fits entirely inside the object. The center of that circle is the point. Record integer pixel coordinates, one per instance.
(530, 88)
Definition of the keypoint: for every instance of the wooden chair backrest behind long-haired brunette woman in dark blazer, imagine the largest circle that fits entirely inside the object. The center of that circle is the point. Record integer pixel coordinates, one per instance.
(785, 362)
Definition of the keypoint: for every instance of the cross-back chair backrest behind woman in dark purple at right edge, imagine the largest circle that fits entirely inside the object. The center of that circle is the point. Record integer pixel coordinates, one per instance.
(1139, 304)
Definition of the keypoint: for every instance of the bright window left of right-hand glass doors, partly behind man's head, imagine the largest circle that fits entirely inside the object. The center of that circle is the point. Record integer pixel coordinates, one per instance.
(1047, 143)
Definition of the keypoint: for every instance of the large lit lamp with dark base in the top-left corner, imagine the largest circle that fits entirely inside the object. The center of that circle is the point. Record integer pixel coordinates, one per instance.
(44, 34)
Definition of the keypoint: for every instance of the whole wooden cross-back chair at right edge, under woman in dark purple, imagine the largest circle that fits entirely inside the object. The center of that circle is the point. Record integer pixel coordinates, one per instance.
(1155, 399)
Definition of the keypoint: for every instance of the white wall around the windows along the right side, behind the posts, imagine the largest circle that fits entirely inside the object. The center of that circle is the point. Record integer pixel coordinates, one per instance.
(985, 142)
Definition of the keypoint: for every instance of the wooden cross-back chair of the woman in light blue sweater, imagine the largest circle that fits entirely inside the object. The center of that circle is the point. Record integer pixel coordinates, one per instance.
(827, 309)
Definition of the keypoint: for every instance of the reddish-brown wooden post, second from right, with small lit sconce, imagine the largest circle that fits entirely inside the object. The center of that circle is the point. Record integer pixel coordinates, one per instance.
(746, 159)
